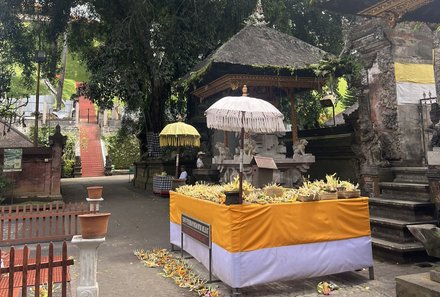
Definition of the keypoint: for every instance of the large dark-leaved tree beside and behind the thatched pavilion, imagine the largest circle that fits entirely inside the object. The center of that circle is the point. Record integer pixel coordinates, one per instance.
(135, 50)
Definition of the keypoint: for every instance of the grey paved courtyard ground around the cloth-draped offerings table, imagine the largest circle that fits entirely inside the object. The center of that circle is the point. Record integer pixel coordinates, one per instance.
(140, 220)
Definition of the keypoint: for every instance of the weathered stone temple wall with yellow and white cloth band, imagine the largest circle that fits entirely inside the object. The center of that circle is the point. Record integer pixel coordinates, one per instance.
(398, 61)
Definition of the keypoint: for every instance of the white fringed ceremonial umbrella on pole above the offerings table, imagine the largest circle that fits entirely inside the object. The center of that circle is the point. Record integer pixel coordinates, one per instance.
(244, 114)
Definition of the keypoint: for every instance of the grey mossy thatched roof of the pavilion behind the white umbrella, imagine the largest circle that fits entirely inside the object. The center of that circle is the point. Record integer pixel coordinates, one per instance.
(261, 47)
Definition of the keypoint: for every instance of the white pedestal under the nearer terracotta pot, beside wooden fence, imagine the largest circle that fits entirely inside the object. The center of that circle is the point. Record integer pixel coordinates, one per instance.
(88, 259)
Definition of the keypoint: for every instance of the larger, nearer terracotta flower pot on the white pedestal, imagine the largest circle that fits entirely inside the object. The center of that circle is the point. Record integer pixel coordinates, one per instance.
(93, 225)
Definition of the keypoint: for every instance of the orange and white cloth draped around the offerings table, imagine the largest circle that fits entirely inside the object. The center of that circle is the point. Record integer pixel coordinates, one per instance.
(256, 244)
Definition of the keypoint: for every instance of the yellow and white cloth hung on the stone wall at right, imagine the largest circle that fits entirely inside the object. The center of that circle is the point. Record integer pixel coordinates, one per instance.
(412, 80)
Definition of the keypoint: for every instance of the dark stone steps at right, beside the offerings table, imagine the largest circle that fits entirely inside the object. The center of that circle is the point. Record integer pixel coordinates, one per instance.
(404, 200)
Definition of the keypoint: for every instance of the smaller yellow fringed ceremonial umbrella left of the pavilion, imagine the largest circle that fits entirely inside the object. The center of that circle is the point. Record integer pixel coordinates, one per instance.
(179, 135)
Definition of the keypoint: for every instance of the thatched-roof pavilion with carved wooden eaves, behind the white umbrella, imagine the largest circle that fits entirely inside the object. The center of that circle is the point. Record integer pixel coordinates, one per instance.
(272, 64)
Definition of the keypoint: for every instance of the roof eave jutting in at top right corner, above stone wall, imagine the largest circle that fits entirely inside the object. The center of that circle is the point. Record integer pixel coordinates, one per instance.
(402, 10)
